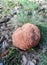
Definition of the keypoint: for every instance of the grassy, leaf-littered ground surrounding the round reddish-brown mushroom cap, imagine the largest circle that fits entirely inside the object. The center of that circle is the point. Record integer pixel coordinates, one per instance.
(13, 15)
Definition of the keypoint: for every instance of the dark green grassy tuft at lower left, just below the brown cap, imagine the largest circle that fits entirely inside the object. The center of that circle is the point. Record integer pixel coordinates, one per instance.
(13, 58)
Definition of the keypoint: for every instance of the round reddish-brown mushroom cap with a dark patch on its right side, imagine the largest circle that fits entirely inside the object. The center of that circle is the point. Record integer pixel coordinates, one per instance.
(26, 36)
